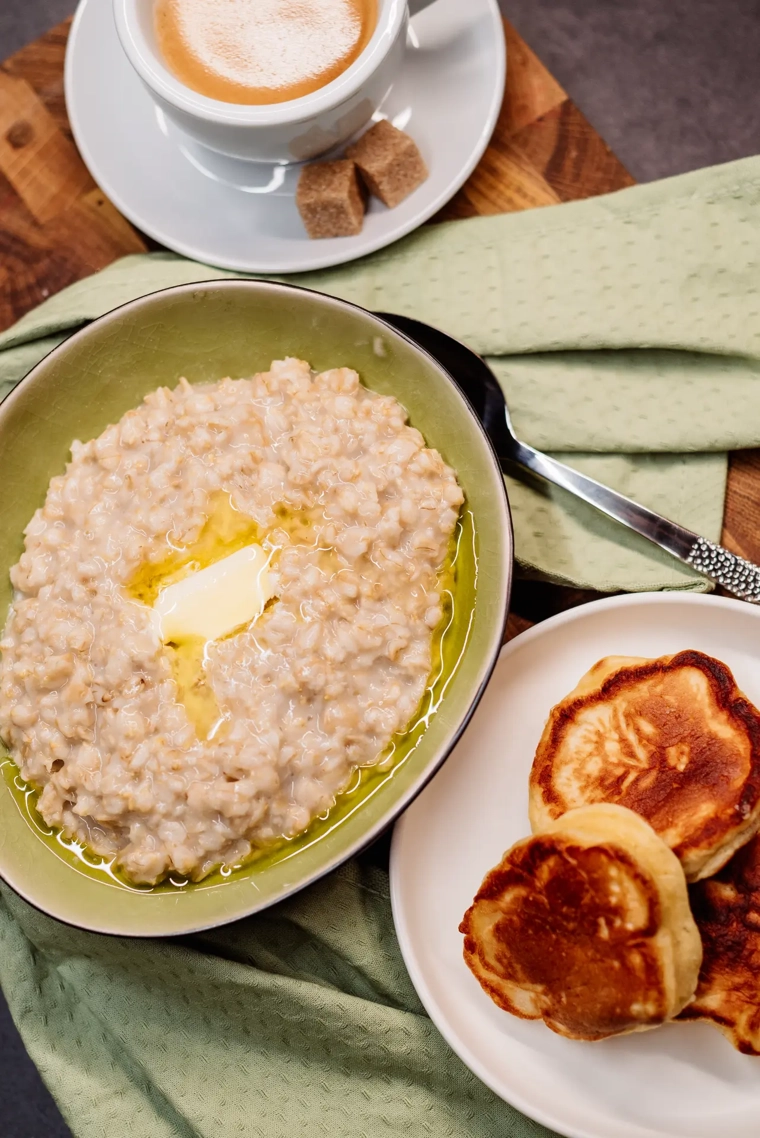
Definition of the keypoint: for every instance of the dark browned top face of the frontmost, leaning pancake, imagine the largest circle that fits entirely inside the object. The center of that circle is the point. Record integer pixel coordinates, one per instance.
(565, 934)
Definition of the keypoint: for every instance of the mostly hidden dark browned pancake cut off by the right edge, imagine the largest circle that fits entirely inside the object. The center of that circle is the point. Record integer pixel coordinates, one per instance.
(728, 913)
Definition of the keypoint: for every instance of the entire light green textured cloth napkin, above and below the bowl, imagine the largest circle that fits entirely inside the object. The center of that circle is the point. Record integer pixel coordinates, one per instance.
(626, 332)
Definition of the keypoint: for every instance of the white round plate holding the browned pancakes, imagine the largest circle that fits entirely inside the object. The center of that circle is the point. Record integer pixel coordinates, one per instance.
(680, 1082)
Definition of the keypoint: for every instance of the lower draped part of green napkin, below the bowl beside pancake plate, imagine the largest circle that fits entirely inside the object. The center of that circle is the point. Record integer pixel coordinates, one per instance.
(301, 1021)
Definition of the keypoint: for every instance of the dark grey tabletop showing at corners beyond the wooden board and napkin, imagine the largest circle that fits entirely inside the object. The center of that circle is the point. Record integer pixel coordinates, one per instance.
(671, 85)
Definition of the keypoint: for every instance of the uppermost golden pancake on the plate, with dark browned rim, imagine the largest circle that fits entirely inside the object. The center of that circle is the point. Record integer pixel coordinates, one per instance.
(672, 739)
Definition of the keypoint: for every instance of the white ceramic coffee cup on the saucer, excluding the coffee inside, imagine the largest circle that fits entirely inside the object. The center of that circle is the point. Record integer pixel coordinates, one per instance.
(280, 133)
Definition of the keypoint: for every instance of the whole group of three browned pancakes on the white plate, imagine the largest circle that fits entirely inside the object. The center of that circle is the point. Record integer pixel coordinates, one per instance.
(638, 898)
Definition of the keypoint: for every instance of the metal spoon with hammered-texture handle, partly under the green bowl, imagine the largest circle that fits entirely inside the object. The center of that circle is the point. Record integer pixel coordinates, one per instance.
(477, 382)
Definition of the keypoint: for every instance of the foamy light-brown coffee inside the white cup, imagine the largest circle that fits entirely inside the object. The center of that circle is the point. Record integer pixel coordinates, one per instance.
(257, 52)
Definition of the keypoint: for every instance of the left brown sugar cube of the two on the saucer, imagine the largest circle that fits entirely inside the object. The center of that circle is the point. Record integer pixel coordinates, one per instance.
(331, 200)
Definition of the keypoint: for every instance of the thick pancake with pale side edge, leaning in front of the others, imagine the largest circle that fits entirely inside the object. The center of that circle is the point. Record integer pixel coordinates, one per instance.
(586, 927)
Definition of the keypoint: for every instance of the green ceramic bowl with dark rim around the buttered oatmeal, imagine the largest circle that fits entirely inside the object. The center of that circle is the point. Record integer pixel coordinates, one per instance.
(208, 332)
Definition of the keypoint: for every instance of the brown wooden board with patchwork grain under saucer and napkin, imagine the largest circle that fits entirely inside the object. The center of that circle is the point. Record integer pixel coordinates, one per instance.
(57, 227)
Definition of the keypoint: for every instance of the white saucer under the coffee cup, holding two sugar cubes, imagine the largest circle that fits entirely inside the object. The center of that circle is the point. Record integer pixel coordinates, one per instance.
(243, 217)
